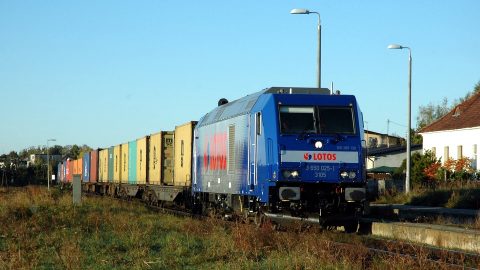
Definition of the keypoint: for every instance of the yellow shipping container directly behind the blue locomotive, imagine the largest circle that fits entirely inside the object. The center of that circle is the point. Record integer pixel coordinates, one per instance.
(183, 154)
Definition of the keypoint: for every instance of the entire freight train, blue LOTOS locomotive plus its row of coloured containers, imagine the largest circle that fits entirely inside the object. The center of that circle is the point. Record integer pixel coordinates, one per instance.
(287, 152)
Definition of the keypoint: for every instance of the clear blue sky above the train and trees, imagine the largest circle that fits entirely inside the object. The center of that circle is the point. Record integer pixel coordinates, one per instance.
(106, 72)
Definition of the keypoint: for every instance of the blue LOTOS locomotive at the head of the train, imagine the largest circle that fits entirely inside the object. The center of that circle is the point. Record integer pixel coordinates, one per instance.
(290, 152)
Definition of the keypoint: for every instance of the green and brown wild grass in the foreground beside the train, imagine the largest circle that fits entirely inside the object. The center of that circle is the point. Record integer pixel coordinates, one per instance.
(42, 230)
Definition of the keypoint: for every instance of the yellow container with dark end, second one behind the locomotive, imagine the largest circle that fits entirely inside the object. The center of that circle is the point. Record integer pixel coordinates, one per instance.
(160, 153)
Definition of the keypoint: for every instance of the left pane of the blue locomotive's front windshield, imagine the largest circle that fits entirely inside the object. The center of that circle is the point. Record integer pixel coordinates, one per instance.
(295, 120)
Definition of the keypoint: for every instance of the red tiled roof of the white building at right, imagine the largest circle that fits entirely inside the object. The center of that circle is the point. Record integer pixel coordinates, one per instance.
(465, 115)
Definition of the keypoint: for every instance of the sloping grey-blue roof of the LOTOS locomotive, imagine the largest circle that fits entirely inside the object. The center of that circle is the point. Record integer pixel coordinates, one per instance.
(244, 105)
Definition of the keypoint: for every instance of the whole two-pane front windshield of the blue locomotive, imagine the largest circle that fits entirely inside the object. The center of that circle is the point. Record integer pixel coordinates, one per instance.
(316, 119)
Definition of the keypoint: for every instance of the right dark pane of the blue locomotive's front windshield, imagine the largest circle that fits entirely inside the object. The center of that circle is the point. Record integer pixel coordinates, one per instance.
(336, 120)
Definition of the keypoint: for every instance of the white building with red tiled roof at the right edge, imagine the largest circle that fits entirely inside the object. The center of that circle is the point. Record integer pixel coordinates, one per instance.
(457, 134)
